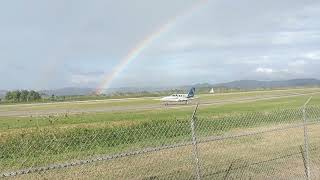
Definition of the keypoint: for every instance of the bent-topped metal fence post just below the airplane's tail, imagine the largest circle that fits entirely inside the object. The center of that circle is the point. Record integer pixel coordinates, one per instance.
(195, 144)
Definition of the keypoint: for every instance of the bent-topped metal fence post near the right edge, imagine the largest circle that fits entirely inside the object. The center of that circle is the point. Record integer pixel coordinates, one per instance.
(306, 140)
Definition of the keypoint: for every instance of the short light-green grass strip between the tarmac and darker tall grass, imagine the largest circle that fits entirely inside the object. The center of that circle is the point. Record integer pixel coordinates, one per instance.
(114, 118)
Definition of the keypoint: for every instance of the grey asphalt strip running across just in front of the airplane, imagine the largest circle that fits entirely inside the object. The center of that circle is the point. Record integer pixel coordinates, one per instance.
(131, 108)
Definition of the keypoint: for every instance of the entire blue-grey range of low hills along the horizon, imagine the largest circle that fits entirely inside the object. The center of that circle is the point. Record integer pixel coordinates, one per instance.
(204, 87)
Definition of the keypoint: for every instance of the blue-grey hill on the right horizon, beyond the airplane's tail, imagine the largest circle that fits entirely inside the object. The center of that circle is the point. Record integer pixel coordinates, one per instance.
(253, 84)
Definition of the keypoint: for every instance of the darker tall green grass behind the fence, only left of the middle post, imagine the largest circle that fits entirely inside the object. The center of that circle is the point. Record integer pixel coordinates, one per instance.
(65, 144)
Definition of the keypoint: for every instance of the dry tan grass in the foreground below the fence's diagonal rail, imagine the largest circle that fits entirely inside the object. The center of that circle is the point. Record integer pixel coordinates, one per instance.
(250, 157)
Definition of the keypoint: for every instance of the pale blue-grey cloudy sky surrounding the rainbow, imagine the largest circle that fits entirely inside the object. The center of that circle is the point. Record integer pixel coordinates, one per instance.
(76, 43)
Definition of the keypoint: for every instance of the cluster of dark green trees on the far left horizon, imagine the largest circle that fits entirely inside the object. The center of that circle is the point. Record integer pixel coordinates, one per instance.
(22, 96)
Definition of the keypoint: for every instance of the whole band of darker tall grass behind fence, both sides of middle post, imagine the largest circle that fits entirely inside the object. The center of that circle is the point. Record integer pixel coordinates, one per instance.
(54, 144)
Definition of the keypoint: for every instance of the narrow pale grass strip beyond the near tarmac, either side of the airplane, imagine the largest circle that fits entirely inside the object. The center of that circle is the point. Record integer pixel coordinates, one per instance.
(146, 101)
